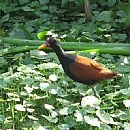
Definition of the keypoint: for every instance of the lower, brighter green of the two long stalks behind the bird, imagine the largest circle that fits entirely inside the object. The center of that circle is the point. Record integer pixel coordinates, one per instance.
(115, 51)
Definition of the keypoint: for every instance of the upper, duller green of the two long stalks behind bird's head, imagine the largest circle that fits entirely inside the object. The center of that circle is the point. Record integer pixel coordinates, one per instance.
(21, 42)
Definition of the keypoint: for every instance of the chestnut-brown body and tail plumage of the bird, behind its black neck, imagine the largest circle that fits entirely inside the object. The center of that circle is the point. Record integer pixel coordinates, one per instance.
(88, 71)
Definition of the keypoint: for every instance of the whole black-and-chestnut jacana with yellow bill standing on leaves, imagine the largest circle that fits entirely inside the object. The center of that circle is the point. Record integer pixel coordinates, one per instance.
(79, 68)
